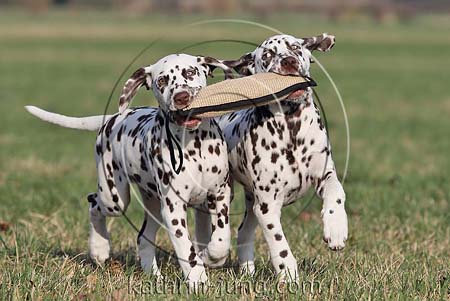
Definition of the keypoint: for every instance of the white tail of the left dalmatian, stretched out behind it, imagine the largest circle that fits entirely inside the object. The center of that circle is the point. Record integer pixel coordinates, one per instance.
(91, 123)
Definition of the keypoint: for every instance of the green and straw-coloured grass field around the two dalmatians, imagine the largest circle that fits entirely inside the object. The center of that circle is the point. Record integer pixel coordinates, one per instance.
(394, 79)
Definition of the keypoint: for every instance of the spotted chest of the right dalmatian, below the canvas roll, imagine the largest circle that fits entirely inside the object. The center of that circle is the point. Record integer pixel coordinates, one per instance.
(280, 154)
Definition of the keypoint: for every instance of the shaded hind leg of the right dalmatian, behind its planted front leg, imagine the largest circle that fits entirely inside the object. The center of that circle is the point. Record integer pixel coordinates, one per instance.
(246, 237)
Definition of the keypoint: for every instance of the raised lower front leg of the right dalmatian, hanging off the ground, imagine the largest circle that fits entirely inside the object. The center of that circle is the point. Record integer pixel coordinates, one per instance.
(334, 217)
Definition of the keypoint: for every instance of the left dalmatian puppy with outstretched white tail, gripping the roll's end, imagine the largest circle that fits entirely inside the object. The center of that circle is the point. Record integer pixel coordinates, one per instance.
(132, 147)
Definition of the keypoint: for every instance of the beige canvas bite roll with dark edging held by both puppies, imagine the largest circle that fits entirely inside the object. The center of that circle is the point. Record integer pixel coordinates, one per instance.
(241, 93)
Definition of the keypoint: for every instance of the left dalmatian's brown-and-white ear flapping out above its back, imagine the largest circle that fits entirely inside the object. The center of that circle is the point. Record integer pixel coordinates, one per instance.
(140, 77)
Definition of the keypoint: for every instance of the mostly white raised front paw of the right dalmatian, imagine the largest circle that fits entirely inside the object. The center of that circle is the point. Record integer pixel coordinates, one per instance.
(335, 228)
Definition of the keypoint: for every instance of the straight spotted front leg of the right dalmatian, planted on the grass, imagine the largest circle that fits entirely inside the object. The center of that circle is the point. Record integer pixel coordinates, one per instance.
(268, 214)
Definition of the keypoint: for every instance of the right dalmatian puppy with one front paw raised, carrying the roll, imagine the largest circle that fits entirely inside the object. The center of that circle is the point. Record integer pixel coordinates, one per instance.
(279, 151)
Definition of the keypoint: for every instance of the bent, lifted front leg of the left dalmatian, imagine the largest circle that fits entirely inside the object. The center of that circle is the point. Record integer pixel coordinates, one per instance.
(216, 253)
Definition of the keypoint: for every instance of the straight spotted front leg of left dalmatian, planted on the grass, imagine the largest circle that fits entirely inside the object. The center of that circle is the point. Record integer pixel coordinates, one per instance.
(173, 212)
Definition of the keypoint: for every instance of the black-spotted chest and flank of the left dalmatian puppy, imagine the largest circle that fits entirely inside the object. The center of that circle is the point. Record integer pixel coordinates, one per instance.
(147, 160)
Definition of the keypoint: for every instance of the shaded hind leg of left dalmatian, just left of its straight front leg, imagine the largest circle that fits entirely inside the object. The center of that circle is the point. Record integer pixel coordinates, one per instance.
(147, 236)
